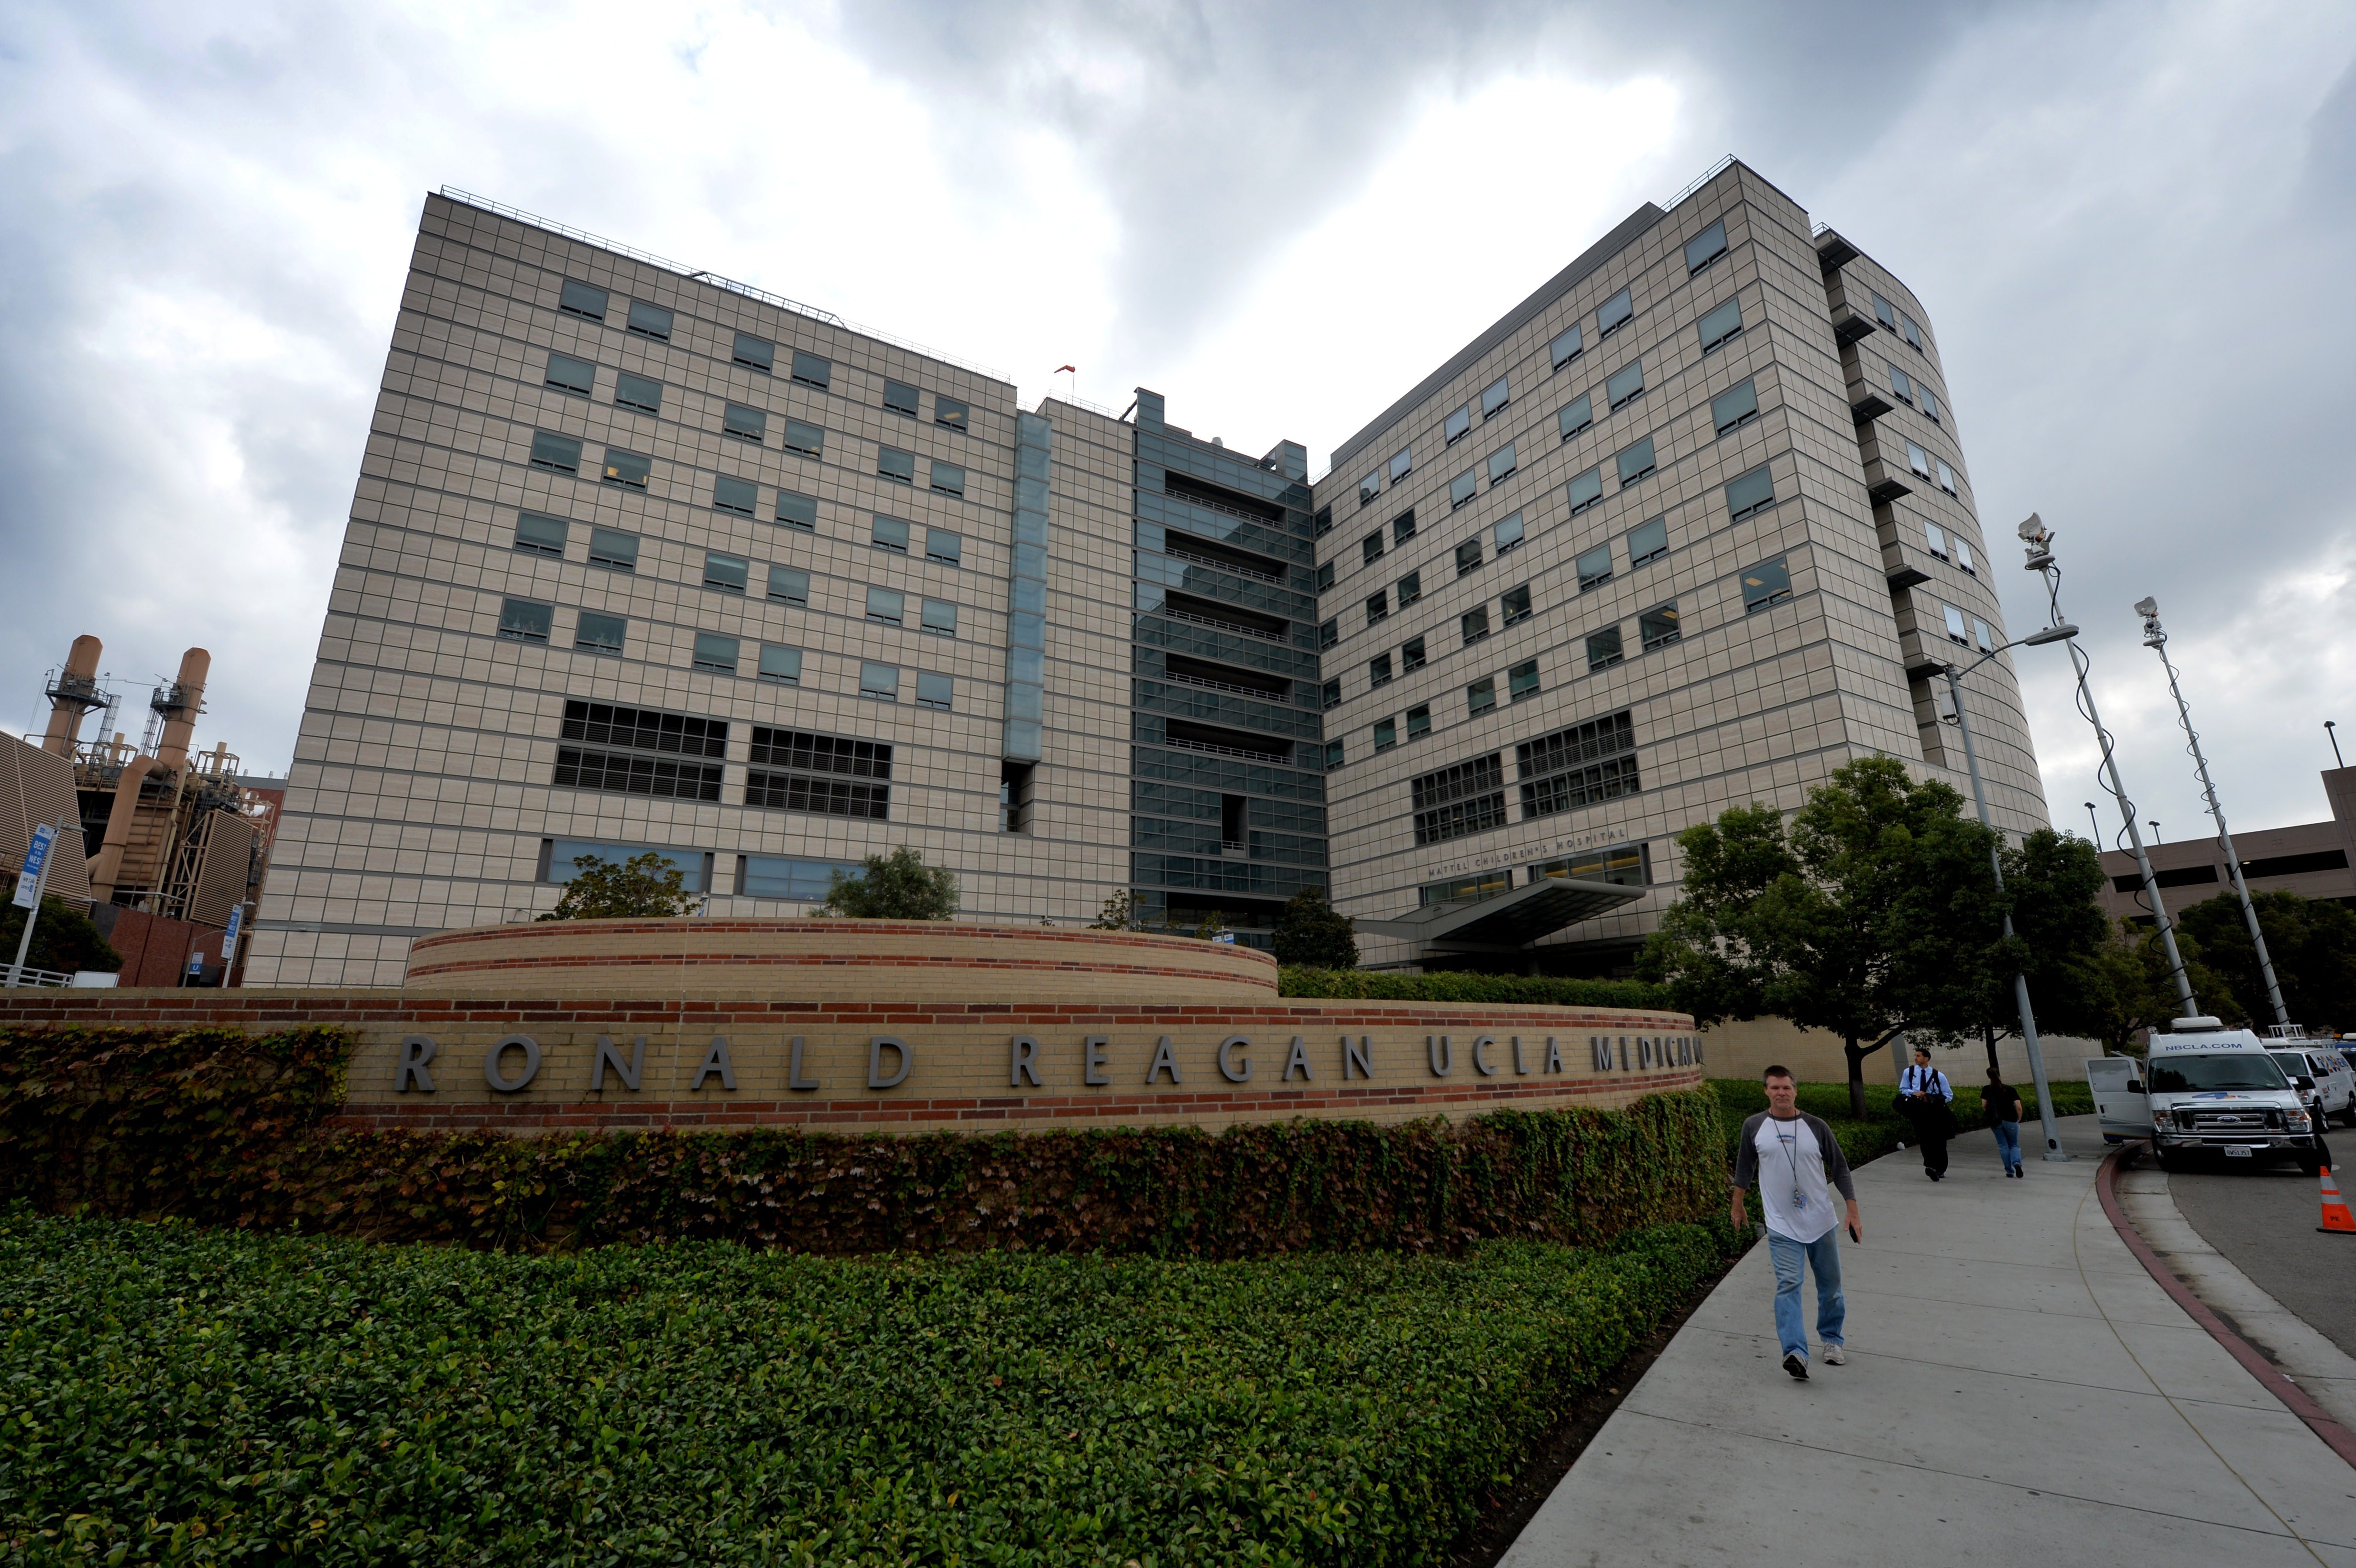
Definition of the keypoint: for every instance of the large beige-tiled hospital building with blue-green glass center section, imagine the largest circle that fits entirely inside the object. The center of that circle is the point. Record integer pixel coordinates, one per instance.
(644, 559)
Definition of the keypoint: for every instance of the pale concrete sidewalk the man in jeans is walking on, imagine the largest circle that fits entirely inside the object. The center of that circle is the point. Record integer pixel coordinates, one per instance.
(2018, 1390)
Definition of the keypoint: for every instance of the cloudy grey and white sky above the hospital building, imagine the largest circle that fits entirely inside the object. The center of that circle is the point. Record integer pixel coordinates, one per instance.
(2133, 227)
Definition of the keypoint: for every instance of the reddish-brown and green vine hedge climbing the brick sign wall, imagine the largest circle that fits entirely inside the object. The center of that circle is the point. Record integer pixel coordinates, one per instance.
(232, 1129)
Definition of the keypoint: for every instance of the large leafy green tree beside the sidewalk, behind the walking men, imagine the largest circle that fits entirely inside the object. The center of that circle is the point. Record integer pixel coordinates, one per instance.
(1874, 915)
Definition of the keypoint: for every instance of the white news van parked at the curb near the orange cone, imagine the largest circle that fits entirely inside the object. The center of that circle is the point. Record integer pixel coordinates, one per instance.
(2206, 1089)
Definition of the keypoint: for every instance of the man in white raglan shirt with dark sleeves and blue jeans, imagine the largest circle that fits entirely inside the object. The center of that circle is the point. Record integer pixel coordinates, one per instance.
(1796, 1162)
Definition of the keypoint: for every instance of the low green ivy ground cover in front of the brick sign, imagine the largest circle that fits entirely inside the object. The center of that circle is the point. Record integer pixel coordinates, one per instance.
(187, 1395)
